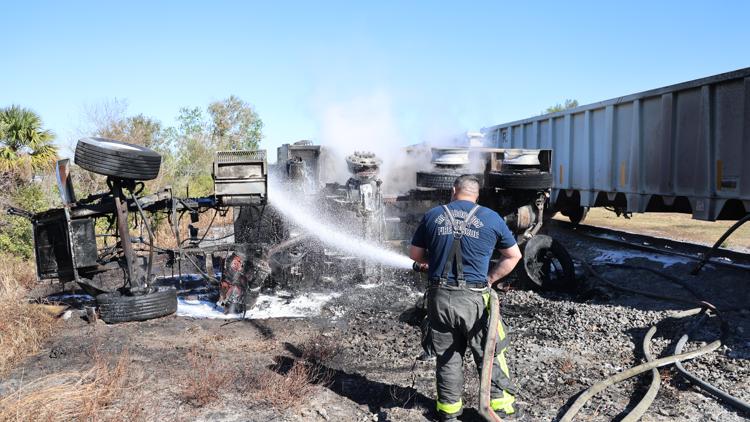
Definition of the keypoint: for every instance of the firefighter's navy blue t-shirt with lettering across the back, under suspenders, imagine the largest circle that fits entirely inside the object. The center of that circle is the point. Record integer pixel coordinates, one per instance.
(484, 233)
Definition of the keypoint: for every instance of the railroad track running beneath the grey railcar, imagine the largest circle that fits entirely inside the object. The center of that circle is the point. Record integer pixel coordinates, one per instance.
(722, 257)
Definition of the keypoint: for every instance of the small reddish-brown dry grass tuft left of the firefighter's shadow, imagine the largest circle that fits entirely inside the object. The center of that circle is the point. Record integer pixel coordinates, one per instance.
(206, 379)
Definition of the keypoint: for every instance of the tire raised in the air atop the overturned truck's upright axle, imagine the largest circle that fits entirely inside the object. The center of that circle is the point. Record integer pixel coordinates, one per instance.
(117, 159)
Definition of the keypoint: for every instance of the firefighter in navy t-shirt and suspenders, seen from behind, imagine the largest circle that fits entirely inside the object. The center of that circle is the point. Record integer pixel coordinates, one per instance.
(455, 242)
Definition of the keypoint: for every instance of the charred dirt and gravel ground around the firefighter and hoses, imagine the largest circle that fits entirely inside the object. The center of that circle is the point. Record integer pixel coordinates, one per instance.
(367, 340)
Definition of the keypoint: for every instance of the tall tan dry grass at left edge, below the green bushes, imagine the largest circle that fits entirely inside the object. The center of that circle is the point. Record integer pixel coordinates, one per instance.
(23, 326)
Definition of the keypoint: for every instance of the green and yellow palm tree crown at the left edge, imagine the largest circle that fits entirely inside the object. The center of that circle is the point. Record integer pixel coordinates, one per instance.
(24, 145)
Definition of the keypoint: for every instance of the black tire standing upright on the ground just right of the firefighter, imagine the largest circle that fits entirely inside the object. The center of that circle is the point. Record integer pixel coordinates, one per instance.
(547, 264)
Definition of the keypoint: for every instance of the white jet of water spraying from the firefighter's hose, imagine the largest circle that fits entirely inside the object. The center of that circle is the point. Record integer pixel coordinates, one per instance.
(304, 217)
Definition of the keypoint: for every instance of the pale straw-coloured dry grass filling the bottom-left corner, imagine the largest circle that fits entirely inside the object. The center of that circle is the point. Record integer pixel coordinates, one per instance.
(72, 396)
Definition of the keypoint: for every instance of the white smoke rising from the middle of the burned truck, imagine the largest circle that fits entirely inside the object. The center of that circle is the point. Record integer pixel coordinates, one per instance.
(369, 123)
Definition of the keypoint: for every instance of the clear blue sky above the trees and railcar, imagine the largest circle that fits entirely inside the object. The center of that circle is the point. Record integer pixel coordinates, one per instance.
(357, 72)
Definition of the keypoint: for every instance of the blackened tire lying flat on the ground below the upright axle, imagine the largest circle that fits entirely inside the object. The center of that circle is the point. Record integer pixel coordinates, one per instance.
(114, 308)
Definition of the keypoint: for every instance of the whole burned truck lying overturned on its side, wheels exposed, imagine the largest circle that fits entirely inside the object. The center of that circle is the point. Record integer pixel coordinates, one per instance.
(106, 244)
